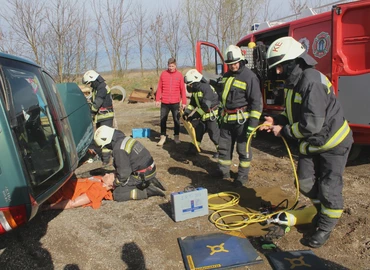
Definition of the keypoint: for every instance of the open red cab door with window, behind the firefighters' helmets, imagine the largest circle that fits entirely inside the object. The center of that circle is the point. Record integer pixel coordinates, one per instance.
(209, 60)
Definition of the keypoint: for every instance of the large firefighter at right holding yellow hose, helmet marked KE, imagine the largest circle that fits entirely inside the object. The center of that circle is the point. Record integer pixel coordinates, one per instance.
(314, 118)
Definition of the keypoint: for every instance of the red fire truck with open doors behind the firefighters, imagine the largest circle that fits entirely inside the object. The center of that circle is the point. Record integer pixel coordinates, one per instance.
(339, 40)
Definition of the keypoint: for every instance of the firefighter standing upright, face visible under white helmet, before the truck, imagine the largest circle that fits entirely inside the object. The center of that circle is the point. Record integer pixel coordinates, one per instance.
(242, 106)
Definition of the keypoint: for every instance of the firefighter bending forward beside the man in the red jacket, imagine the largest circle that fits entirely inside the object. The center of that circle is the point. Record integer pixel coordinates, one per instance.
(203, 107)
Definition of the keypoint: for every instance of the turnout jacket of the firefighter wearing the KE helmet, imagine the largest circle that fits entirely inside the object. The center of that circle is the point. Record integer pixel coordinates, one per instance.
(312, 113)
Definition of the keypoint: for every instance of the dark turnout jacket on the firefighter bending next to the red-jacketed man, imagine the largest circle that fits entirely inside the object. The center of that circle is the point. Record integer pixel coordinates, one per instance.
(205, 98)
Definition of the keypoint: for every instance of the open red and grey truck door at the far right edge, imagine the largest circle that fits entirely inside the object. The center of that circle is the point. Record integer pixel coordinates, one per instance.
(351, 65)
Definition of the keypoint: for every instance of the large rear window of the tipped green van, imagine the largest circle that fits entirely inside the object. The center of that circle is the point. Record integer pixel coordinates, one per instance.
(32, 124)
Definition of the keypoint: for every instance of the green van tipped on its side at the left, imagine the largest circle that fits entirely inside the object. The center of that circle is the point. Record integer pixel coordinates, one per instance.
(45, 129)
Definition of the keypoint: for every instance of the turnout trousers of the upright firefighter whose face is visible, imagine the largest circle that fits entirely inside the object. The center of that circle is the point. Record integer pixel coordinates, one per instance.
(229, 135)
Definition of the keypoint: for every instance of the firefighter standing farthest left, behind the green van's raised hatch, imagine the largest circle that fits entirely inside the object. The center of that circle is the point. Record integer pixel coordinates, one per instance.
(101, 106)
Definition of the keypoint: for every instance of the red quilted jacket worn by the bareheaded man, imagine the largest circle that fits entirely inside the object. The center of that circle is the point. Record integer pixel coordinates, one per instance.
(171, 88)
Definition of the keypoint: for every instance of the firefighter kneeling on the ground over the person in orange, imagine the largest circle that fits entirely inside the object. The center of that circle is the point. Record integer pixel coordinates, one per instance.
(135, 170)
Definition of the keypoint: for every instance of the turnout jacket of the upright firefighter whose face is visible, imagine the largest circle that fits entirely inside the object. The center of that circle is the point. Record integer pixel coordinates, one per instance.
(241, 90)
